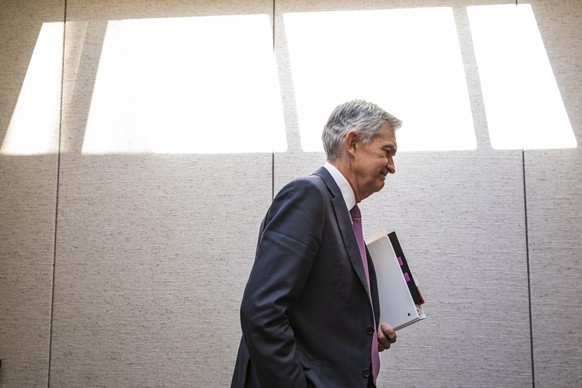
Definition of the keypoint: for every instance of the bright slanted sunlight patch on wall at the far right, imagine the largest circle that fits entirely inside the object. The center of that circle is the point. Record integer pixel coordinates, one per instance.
(523, 104)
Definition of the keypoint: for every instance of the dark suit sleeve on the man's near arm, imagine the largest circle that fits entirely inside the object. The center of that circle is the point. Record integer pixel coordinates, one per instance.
(288, 244)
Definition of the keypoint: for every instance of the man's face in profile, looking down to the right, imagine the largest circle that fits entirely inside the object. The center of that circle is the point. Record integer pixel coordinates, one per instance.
(373, 162)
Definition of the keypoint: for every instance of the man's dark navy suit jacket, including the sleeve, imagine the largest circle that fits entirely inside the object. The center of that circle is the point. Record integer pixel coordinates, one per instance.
(305, 315)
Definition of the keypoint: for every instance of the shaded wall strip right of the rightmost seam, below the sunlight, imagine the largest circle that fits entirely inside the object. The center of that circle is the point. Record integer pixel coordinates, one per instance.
(555, 225)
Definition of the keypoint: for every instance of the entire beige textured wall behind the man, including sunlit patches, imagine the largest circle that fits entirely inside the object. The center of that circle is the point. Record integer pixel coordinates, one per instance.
(141, 143)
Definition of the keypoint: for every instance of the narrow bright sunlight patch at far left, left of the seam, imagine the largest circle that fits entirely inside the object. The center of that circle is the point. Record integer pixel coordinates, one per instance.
(34, 125)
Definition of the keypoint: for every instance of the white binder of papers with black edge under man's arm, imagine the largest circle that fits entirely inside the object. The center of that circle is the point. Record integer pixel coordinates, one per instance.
(400, 300)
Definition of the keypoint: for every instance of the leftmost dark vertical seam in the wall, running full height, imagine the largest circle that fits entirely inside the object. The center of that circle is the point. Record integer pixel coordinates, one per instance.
(59, 138)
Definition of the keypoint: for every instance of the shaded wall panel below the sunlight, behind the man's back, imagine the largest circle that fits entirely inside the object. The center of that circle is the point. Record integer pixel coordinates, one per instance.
(152, 256)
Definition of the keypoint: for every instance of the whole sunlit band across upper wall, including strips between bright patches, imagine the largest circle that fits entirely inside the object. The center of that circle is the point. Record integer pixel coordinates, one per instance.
(214, 84)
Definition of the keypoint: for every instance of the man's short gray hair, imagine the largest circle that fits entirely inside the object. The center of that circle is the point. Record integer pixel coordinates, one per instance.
(361, 116)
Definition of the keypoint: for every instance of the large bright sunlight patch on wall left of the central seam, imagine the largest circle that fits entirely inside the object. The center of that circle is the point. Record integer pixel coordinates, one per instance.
(186, 85)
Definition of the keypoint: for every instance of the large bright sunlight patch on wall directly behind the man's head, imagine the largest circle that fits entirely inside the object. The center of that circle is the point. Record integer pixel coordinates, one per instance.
(406, 60)
